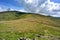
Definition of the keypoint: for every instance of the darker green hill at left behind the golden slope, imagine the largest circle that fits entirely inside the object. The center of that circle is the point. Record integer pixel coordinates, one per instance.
(9, 15)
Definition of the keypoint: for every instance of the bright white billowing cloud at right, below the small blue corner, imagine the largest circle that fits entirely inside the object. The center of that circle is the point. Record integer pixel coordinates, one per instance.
(51, 6)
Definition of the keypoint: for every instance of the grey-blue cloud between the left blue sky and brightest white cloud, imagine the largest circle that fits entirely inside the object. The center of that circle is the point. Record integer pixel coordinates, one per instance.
(33, 5)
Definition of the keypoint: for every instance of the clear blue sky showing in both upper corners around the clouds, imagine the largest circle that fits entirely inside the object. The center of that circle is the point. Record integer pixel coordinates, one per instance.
(15, 3)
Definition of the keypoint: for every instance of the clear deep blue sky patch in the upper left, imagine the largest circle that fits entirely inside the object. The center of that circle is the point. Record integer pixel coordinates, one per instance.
(10, 4)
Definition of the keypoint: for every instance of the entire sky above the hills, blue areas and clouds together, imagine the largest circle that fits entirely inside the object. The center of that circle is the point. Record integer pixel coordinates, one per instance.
(44, 7)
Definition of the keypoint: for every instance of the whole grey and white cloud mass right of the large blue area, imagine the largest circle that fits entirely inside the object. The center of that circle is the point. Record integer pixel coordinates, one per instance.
(42, 7)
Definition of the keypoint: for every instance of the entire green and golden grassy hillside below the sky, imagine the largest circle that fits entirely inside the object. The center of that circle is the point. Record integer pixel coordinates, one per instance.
(15, 24)
